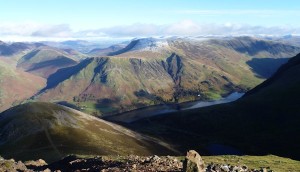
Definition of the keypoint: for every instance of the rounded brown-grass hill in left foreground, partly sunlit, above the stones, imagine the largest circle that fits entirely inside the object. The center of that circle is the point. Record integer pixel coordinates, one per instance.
(49, 131)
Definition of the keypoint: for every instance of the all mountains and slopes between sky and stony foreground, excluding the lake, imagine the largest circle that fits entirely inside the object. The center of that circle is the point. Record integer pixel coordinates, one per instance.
(150, 71)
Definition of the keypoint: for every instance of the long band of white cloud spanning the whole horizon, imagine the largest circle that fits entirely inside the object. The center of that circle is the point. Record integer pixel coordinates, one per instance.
(39, 32)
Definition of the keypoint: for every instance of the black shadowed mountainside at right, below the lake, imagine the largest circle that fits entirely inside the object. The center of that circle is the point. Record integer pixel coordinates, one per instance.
(264, 121)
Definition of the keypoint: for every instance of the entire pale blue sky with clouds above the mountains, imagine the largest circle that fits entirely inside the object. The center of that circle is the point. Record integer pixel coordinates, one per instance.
(30, 20)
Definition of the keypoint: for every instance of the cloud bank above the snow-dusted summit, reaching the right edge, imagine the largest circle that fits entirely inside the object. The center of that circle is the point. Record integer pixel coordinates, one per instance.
(189, 28)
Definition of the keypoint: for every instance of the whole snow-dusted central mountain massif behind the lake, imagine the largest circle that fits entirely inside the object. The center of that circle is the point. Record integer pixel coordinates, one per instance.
(153, 71)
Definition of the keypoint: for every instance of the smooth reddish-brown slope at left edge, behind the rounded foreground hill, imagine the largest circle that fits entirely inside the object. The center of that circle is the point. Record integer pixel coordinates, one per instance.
(16, 85)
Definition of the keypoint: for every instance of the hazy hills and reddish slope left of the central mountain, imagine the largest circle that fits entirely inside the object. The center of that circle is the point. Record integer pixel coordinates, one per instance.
(25, 66)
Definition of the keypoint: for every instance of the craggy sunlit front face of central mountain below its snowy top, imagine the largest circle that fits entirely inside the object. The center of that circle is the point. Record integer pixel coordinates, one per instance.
(109, 83)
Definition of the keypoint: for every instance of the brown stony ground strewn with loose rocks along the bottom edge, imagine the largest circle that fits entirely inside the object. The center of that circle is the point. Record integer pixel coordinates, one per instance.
(116, 163)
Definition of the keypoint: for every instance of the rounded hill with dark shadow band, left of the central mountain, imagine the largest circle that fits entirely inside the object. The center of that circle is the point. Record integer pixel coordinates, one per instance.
(45, 61)
